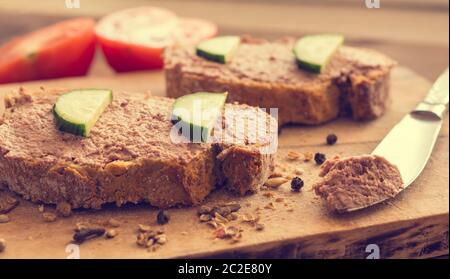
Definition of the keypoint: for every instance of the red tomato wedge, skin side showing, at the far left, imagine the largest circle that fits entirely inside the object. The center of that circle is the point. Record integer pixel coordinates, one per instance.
(60, 50)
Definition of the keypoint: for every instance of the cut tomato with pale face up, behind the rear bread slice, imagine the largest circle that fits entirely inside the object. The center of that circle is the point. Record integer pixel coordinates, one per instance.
(135, 39)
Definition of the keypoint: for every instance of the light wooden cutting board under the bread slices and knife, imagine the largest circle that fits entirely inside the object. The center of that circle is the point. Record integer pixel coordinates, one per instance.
(413, 225)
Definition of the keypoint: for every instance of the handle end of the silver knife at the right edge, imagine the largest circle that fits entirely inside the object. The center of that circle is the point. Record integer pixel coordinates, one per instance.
(437, 99)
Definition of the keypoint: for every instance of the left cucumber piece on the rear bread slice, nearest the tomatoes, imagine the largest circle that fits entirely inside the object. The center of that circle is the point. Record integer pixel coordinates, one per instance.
(219, 49)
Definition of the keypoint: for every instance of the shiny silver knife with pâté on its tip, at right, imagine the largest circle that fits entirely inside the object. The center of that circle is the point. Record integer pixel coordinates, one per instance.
(410, 143)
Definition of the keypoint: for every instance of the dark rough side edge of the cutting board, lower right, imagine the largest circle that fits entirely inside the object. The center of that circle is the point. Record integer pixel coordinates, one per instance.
(427, 237)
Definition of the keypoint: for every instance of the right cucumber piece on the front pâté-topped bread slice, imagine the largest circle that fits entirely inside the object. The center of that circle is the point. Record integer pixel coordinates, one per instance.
(198, 113)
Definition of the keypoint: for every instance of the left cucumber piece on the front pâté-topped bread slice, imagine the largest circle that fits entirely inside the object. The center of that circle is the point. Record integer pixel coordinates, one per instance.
(77, 111)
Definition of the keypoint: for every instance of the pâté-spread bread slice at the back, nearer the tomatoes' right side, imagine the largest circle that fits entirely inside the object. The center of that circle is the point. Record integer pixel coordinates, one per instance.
(265, 74)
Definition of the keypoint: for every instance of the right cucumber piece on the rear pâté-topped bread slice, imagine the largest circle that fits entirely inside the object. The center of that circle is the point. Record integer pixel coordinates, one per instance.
(314, 52)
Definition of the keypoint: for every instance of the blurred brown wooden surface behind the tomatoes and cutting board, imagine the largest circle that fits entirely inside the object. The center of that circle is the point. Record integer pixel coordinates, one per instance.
(412, 31)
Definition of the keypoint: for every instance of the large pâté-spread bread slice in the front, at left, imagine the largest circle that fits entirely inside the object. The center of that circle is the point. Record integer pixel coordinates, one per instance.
(129, 156)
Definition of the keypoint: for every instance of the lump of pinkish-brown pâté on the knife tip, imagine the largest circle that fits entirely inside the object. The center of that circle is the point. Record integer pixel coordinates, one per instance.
(356, 182)
